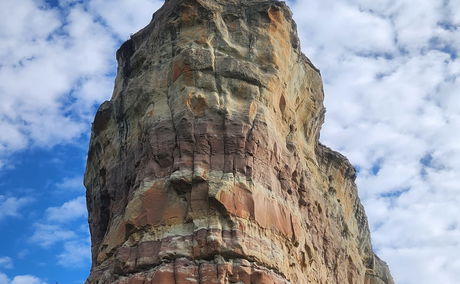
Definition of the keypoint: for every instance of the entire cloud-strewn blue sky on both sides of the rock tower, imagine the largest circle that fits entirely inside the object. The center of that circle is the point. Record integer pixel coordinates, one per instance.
(392, 83)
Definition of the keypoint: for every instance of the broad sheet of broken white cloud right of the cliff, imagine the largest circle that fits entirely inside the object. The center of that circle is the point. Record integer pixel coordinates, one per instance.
(391, 73)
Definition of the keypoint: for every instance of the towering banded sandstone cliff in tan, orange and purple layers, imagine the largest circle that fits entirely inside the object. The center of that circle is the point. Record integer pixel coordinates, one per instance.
(205, 166)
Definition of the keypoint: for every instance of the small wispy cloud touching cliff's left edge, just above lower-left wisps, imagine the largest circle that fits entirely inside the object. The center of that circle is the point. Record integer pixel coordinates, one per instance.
(68, 211)
